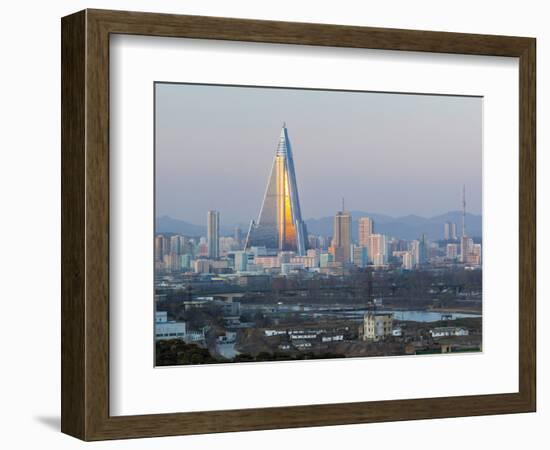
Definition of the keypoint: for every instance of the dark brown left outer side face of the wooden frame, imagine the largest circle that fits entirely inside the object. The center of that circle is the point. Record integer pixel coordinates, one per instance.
(73, 274)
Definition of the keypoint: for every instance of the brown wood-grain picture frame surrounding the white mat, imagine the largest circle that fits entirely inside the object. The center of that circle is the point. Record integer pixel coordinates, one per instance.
(85, 224)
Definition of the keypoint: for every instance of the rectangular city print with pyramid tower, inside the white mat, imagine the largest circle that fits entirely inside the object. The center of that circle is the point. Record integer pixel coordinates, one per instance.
(351, 284)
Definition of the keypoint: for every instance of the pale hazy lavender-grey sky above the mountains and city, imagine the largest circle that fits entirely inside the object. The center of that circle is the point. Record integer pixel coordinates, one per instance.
(394, 154)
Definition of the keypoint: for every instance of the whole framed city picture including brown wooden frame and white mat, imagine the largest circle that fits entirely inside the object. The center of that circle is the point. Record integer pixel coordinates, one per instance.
(273, 225)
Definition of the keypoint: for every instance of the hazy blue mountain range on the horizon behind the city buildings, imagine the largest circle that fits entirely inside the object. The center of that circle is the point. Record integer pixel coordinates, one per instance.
(407, 227)
